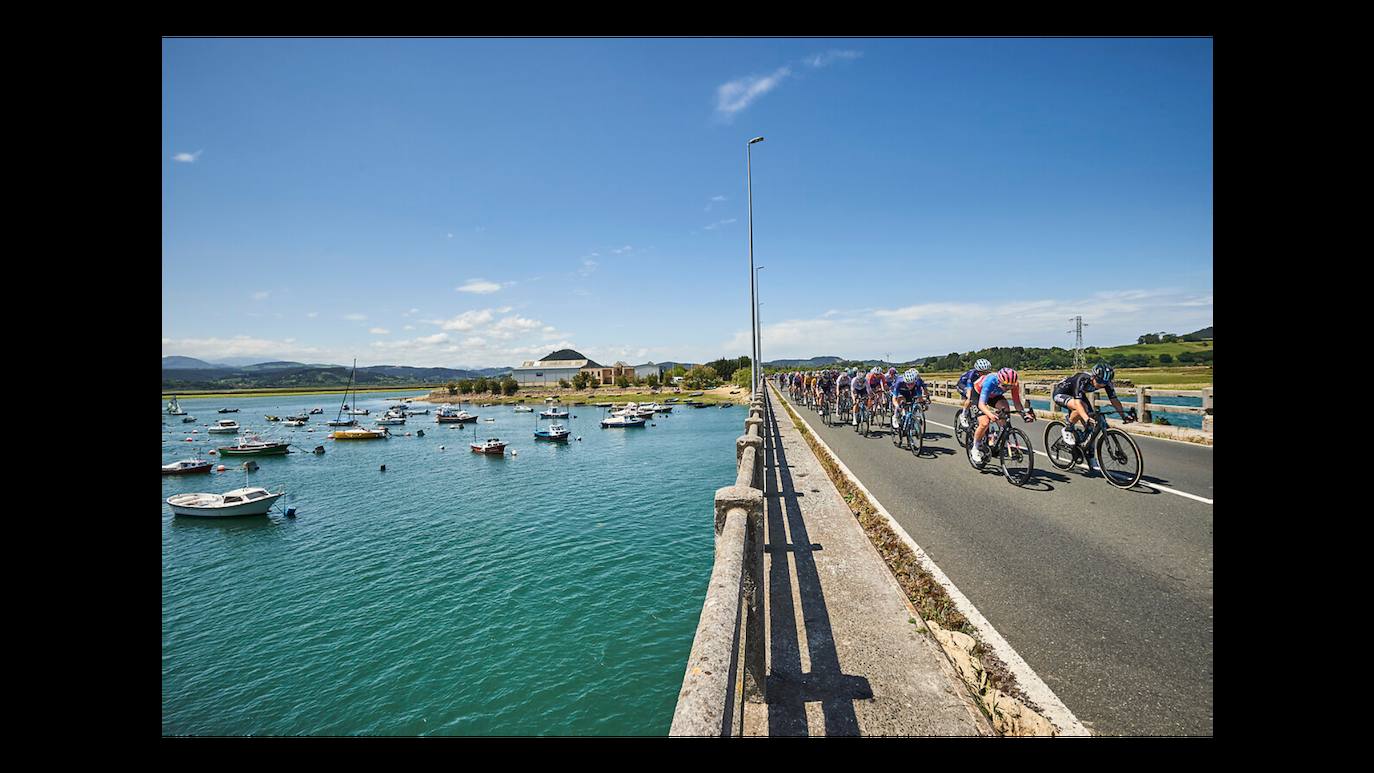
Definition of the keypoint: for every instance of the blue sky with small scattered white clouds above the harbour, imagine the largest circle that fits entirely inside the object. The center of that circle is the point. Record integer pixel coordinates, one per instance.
(482, 203)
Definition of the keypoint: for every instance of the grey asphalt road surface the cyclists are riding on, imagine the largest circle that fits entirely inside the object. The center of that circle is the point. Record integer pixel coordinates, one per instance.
(1107, 594)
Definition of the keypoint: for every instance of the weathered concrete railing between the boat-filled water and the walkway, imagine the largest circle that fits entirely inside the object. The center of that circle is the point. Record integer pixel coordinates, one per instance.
(726, 667)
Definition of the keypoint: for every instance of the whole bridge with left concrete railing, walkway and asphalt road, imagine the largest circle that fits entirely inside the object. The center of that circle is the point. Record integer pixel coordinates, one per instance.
(1099, 601)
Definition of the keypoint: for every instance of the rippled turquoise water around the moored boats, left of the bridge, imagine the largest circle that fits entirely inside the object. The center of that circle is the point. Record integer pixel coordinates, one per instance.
(552, 592)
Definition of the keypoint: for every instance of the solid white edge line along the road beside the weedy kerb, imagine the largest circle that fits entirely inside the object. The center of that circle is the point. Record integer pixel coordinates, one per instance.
(1030, 682)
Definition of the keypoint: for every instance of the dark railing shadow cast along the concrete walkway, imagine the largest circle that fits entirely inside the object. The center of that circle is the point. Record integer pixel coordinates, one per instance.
(788, 687)
